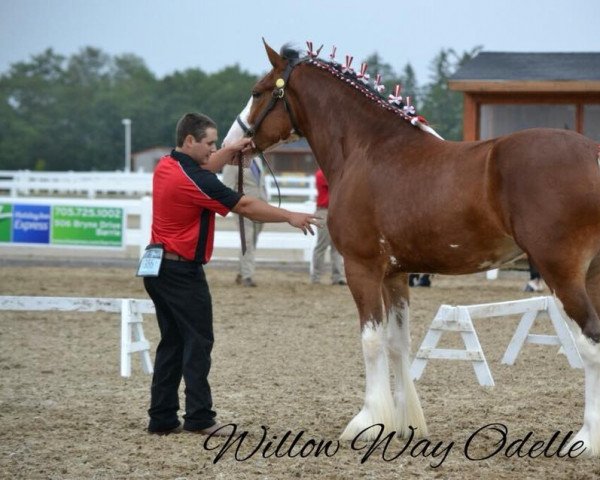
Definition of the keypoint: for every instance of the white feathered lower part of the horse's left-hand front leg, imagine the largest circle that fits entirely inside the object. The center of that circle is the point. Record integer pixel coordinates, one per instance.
(379, 405)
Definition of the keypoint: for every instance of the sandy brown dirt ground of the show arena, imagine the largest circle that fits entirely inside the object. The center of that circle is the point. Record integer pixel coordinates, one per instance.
(287, 357)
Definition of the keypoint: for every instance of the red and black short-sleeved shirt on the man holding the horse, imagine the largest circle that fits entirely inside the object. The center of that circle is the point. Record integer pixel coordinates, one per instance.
(185, 198)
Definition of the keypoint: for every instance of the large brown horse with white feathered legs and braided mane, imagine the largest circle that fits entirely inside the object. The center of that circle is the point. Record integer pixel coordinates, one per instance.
(404, 200)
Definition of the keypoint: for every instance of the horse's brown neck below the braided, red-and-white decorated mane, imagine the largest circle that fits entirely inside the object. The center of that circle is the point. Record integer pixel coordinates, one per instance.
(336, 120)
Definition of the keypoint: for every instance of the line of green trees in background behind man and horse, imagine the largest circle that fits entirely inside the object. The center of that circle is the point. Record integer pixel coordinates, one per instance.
(59, 113)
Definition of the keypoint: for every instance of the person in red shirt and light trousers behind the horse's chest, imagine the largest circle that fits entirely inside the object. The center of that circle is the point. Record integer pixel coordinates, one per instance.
(324, 242)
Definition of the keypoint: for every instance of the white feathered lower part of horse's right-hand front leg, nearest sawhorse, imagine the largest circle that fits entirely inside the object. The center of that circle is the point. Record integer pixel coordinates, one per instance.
(406, 399)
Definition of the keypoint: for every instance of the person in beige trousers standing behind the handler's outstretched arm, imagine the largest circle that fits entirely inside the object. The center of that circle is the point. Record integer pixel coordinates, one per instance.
(254, 184)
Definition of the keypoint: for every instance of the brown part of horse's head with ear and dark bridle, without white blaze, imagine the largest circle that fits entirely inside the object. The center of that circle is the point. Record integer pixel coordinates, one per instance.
(271, 114)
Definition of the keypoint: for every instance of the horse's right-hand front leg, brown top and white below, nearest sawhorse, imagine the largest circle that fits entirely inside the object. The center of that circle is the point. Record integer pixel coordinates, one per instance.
(408, 406)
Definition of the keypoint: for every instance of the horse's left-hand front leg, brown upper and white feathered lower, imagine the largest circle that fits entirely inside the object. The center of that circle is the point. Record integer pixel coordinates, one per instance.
(365, 282)
